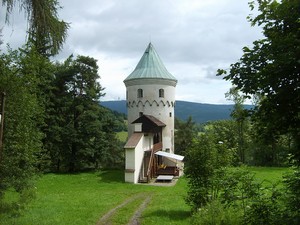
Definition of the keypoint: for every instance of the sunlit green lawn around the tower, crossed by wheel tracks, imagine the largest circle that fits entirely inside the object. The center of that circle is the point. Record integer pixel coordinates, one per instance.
(87, 197)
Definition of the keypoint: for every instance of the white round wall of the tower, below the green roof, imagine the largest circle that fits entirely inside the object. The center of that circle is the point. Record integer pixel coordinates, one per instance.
(151, 103)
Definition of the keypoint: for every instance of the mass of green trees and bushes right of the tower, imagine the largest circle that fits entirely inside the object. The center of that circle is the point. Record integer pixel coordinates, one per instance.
(268, 73)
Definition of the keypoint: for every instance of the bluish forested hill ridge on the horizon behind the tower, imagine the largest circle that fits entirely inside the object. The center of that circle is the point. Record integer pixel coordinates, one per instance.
(200, 112)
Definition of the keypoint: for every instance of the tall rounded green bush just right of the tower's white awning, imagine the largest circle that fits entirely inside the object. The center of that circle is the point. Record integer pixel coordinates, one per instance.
(204, 162)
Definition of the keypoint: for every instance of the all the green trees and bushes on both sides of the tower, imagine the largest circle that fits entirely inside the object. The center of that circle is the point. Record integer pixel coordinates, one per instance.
(52, 119)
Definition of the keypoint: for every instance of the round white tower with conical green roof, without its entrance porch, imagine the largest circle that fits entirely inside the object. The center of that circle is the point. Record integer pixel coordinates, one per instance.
(150, 90)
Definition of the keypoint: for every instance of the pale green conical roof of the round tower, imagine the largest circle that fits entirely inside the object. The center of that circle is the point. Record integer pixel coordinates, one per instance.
(150, 66)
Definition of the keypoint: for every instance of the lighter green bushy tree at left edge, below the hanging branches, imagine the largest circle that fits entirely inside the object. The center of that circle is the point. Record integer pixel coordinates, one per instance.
(22, 138)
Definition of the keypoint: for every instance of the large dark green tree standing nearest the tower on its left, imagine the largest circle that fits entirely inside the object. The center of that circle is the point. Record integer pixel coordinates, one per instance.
(75, 113)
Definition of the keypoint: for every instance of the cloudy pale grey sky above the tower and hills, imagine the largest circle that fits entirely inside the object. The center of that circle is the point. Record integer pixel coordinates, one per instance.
(193, 38)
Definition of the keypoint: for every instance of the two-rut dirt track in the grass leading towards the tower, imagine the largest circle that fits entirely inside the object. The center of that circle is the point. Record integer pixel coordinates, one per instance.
(135, 219)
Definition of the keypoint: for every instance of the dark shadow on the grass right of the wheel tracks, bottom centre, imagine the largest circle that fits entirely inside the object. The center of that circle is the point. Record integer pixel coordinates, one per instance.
(170, 215)
